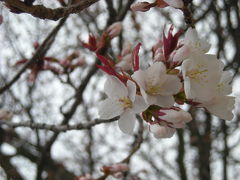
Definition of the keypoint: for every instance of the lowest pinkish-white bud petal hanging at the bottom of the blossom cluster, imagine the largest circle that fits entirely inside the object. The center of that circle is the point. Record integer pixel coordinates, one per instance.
(162, 131)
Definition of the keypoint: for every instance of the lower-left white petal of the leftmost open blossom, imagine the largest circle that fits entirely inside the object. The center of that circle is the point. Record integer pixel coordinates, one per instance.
(109, 108)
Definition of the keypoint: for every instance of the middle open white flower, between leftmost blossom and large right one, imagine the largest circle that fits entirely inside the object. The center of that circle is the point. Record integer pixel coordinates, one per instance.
(156, 86)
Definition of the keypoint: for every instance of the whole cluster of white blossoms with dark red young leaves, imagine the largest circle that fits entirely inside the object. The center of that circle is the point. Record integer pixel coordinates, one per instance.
(180, 72)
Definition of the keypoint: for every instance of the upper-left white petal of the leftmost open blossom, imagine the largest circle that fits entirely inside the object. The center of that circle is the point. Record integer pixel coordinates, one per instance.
(114, 88)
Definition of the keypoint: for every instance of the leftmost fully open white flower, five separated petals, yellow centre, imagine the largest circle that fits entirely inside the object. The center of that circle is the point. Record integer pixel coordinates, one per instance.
(121, 101)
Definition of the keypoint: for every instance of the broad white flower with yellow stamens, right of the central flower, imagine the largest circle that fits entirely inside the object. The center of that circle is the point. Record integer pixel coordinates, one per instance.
(201, 74)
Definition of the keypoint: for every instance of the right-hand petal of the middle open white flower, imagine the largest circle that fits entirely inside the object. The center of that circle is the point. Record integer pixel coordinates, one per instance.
(171, 86)
